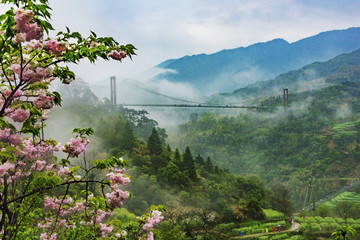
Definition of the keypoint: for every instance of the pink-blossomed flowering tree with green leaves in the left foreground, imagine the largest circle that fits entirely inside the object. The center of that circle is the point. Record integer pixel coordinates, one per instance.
(37, 197)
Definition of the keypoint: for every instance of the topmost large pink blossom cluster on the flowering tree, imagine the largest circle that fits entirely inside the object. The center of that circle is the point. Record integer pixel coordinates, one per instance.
(27, 30)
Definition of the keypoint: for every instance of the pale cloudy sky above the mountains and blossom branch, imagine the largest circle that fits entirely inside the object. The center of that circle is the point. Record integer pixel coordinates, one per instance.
(165, 29)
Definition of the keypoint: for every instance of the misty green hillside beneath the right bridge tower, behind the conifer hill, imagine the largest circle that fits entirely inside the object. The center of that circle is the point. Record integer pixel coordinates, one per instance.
(319, 135)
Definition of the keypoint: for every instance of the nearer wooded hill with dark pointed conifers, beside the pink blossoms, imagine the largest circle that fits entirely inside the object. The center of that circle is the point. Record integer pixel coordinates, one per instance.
(198, 194)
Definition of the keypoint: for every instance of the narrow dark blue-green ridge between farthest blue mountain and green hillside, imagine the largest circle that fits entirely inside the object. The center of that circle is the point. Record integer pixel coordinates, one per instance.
(316, 75)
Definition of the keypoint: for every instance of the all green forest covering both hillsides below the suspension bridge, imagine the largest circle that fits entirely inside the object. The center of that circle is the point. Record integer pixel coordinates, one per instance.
(227, 173)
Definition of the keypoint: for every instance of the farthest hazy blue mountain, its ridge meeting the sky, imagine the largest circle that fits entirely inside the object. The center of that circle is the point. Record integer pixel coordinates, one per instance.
(228, 70)
